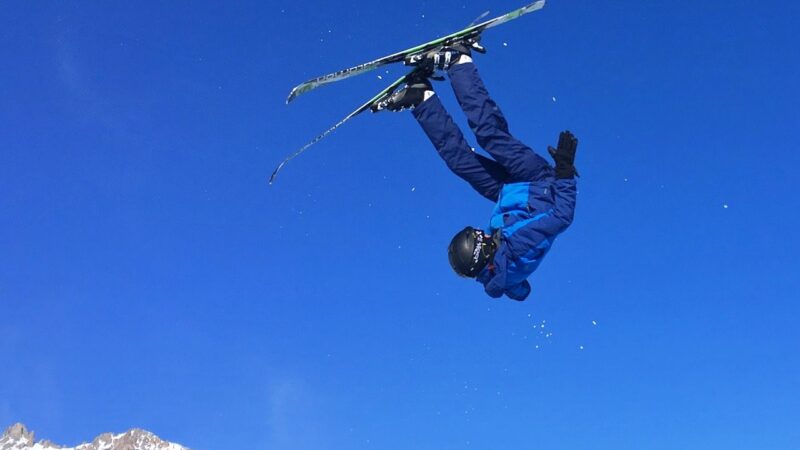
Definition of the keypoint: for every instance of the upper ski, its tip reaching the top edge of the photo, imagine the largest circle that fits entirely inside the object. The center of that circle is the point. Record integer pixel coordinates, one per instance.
(471, 31)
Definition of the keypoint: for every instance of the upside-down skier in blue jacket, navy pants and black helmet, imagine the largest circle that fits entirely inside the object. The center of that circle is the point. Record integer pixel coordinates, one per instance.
(535, 202)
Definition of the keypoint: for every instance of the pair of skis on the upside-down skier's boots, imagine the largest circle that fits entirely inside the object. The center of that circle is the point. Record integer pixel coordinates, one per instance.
(472, 31)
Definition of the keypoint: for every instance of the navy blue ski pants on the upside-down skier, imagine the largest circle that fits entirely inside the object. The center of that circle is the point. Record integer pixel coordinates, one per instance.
(513, 161)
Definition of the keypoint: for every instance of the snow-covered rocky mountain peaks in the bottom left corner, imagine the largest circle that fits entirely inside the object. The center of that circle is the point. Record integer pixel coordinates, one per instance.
(17, 437)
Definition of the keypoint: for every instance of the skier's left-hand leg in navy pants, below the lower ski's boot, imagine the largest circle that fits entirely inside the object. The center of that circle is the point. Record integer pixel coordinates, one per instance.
(483, 174)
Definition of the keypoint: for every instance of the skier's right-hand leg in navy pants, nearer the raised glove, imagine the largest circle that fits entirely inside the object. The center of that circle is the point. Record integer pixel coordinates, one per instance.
(491, 129)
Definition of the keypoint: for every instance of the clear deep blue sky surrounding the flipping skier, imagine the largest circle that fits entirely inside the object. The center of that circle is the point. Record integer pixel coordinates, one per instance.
(150, 278)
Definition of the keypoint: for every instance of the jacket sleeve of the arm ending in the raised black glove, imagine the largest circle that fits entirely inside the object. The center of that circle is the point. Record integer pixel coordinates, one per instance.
(531, 233)
